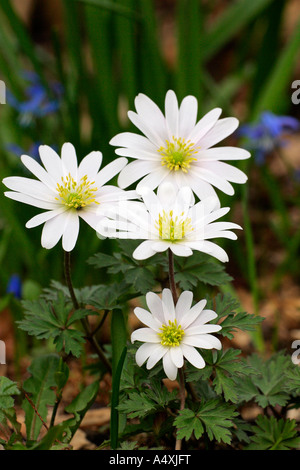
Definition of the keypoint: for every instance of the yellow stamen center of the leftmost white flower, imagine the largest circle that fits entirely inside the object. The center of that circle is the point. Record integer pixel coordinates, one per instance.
(76, 195)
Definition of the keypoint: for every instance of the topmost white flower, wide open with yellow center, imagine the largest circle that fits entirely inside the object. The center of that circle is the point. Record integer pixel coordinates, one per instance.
(175, 147)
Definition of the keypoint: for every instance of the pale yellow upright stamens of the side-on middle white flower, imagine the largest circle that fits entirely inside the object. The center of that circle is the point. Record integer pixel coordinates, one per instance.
(173, 228)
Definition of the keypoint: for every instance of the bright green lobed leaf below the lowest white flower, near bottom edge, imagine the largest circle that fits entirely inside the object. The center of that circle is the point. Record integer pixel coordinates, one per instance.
(212, 417)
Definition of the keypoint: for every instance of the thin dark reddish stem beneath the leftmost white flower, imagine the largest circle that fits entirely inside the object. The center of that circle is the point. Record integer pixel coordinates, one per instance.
(85, 323)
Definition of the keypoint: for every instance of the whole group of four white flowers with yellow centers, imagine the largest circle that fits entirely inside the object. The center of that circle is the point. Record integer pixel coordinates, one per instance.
(177, 156)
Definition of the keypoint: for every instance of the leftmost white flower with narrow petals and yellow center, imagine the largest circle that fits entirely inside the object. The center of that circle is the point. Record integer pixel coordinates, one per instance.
(67, 192)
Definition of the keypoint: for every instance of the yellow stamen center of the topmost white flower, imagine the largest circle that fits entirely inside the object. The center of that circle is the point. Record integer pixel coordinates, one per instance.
(177, 154)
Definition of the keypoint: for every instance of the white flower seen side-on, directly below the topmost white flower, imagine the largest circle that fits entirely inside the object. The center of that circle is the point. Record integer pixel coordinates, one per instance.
(169, 219)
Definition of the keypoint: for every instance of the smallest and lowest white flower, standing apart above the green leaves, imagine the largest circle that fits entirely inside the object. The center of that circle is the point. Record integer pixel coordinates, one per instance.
(173, 333)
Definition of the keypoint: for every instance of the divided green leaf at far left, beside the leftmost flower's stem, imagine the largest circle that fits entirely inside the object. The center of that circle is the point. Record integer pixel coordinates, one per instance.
(55, 320)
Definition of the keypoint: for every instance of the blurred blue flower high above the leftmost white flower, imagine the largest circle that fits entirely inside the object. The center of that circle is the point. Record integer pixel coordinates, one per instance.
(37, 102)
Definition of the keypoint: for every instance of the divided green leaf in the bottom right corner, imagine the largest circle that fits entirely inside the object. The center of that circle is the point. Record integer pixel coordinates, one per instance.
(272, 434)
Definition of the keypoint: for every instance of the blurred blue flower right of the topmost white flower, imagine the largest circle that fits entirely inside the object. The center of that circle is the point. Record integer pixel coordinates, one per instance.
(268, 133)
